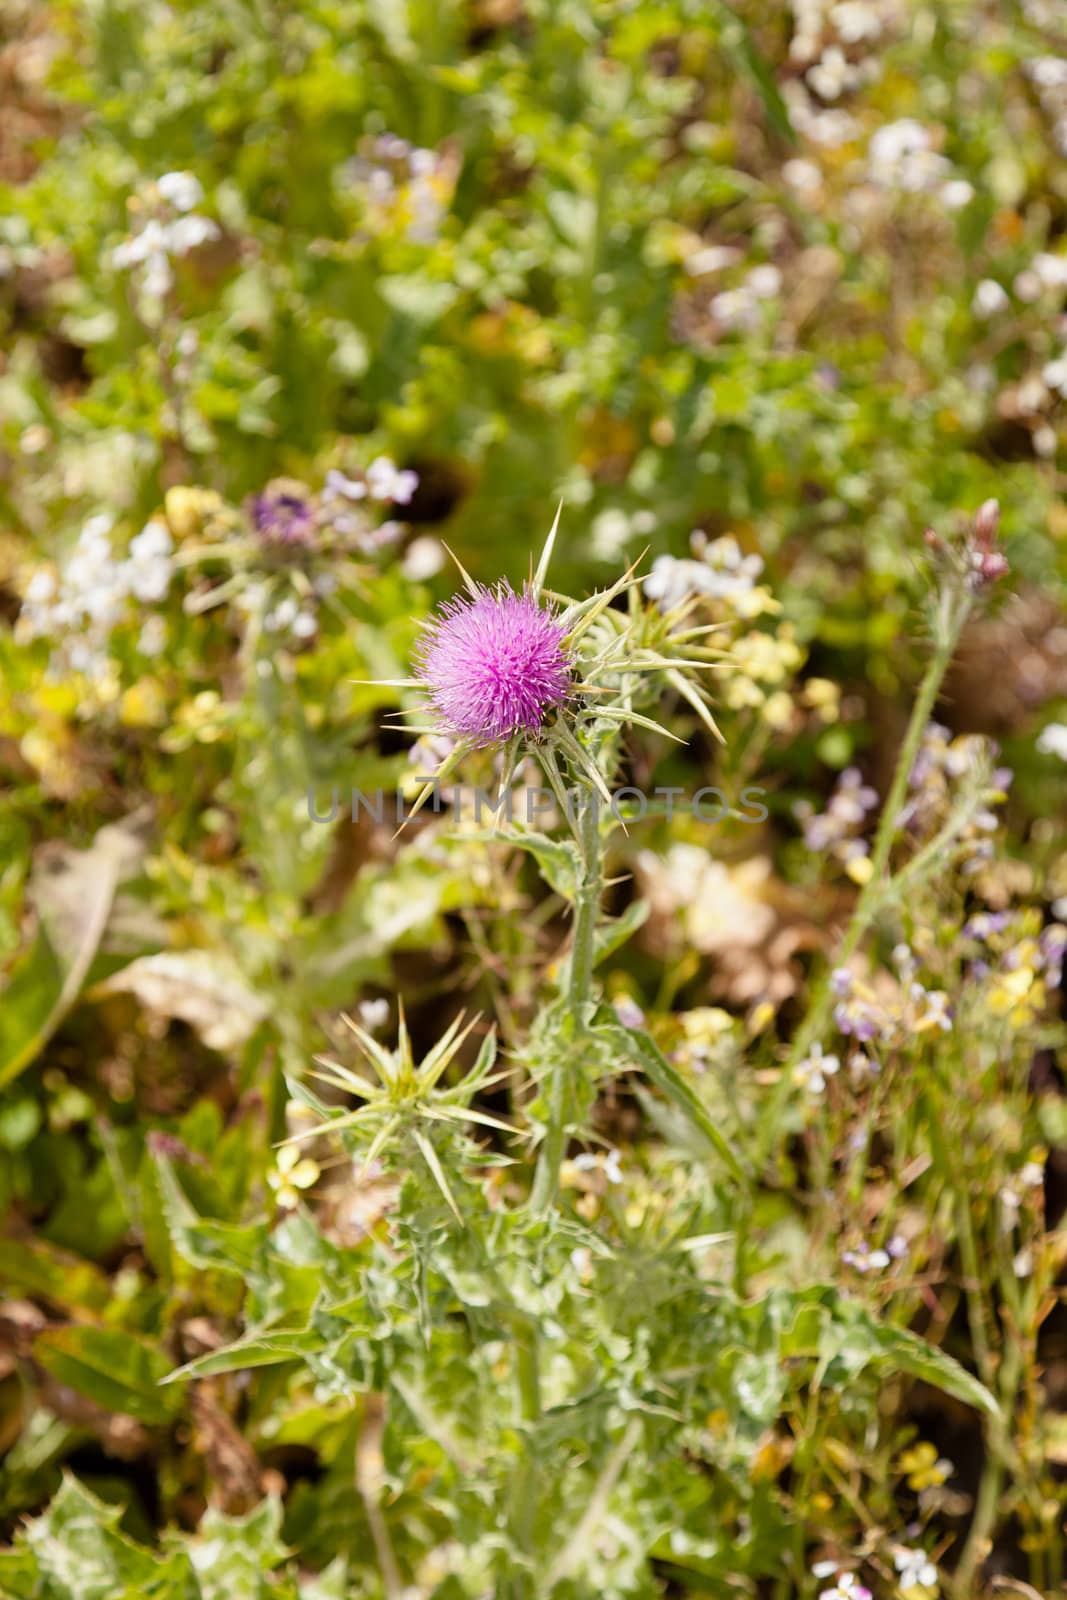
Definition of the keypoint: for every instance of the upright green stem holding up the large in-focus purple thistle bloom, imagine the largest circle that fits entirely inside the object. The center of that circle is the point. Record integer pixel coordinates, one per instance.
(578, 994)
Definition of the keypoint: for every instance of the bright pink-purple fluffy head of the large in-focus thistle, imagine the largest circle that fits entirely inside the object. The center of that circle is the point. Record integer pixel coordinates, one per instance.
(495, 665)
